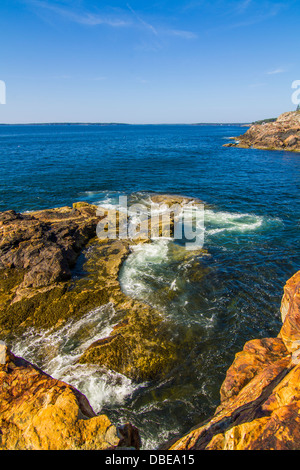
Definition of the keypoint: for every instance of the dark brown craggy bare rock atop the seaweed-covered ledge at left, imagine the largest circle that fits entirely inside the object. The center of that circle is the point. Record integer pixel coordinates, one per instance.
(45, 244)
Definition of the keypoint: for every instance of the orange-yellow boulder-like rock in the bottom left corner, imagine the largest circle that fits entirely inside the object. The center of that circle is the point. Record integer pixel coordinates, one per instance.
(38, 412)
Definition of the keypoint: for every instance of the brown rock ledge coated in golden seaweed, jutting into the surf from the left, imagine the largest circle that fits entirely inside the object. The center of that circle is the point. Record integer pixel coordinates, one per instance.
(38, 252)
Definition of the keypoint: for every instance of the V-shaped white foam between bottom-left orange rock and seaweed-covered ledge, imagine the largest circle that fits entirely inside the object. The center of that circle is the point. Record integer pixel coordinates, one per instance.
(56, 352)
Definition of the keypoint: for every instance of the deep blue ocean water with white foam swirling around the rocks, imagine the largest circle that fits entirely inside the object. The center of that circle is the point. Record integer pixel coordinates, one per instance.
(218, 301)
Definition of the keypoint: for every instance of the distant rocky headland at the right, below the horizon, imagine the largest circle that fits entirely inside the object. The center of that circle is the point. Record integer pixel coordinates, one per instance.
(282, 134)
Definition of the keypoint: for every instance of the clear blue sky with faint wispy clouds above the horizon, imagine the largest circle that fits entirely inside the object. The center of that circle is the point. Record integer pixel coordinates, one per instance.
(139, 61)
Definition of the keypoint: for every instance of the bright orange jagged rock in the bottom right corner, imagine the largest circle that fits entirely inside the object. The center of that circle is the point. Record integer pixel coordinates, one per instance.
(260, 397)
